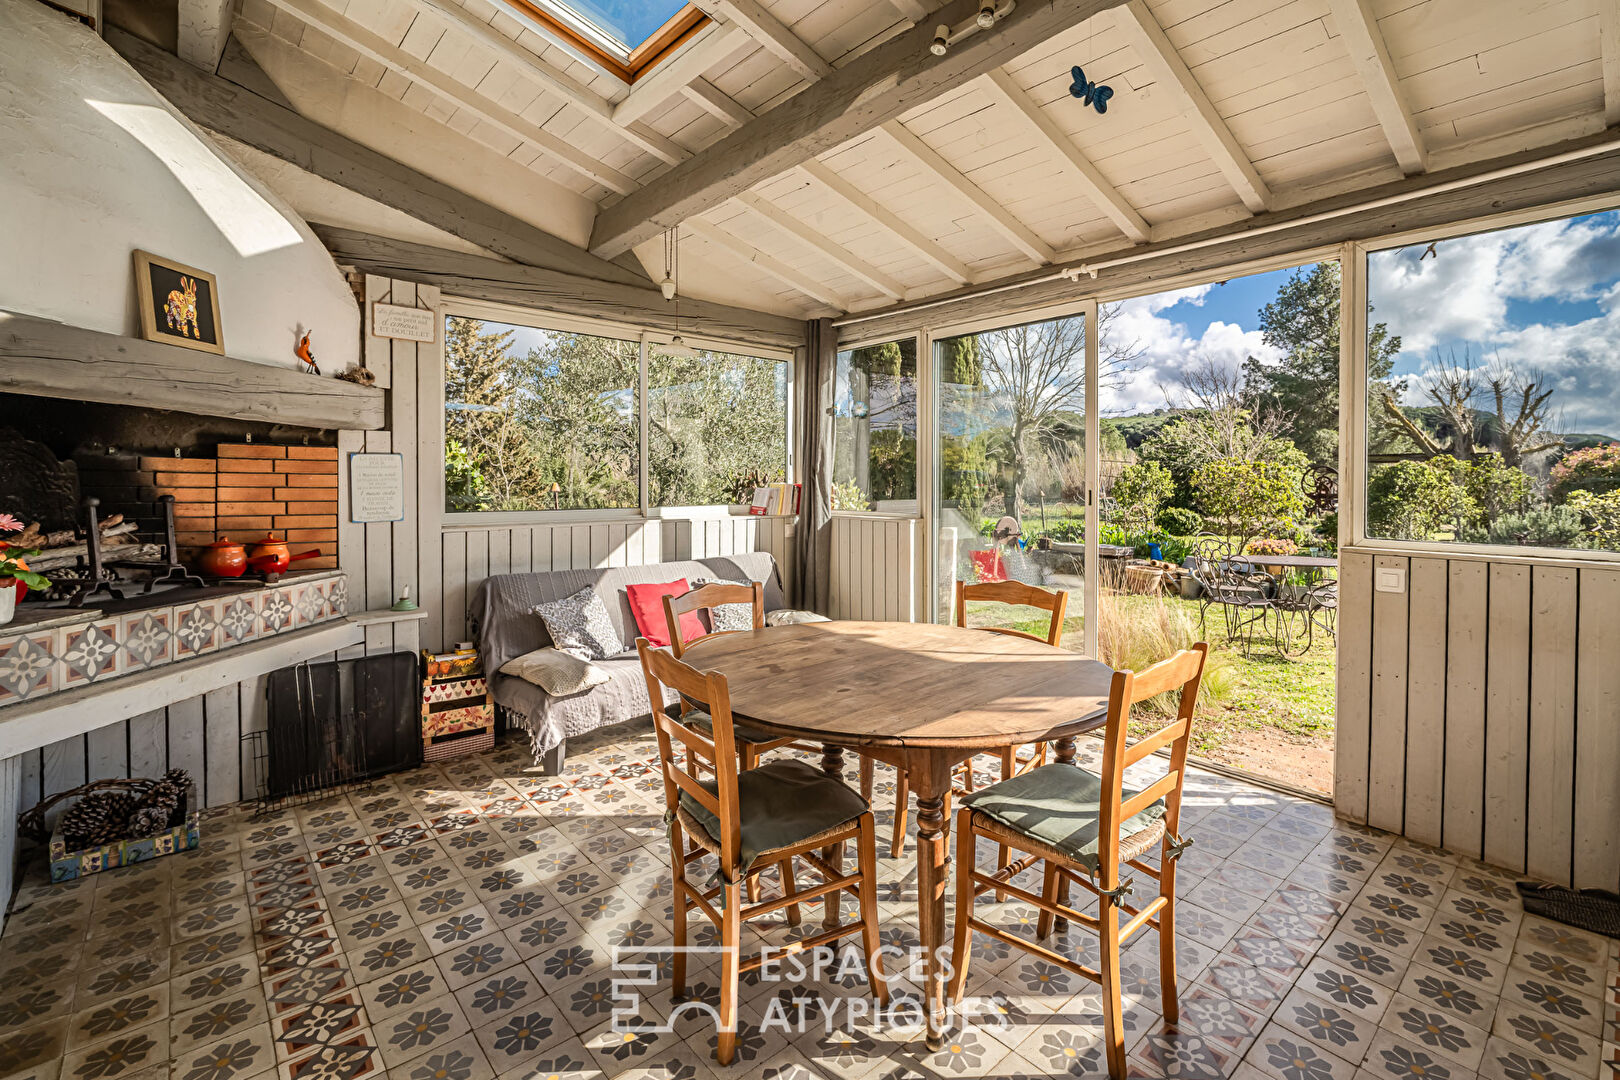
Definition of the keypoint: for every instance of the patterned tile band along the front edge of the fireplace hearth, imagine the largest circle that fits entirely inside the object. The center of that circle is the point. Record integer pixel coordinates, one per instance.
(74, 650)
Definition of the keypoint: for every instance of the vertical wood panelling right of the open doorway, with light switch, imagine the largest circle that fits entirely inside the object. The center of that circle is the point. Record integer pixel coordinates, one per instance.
(1480, 710)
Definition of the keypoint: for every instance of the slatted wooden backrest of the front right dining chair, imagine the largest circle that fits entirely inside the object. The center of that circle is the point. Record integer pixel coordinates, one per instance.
(1183, 671)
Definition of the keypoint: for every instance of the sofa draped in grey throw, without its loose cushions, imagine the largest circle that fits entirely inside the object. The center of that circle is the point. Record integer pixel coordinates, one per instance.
(505, 629)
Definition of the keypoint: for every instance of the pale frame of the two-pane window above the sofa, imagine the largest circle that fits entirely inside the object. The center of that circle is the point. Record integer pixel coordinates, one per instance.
(647, 339)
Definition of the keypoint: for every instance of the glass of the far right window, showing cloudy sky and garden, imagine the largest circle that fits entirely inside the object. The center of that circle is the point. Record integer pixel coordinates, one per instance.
(1493, 370)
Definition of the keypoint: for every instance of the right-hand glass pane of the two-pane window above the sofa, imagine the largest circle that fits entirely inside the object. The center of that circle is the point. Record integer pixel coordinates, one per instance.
(717, 427)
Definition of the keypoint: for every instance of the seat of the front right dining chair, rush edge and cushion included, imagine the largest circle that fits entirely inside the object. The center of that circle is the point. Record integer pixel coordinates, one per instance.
(1057, 810)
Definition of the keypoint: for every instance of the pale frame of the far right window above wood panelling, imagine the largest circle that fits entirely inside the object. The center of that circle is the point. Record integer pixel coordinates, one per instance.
(1354, 391)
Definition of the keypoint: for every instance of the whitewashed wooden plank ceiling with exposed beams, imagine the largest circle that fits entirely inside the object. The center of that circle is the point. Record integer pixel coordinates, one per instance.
(816, 151)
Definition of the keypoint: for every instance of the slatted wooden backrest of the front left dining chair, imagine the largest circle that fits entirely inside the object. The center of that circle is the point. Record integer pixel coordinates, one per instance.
(718, 749)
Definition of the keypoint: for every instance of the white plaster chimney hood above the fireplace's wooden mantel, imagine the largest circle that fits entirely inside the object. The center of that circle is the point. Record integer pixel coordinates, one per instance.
(96, 166)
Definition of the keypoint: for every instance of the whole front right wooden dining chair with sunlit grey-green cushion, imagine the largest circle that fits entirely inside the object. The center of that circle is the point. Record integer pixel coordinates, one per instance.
(1085, 828)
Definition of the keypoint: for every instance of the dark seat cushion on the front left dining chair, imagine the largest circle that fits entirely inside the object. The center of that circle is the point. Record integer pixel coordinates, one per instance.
(780, 806)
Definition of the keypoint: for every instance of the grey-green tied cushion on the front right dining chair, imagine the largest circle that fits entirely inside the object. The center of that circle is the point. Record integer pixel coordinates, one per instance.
(1060, 807)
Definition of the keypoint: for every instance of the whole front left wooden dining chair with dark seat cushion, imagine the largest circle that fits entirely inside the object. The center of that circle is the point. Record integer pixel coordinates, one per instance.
(751, 822)
